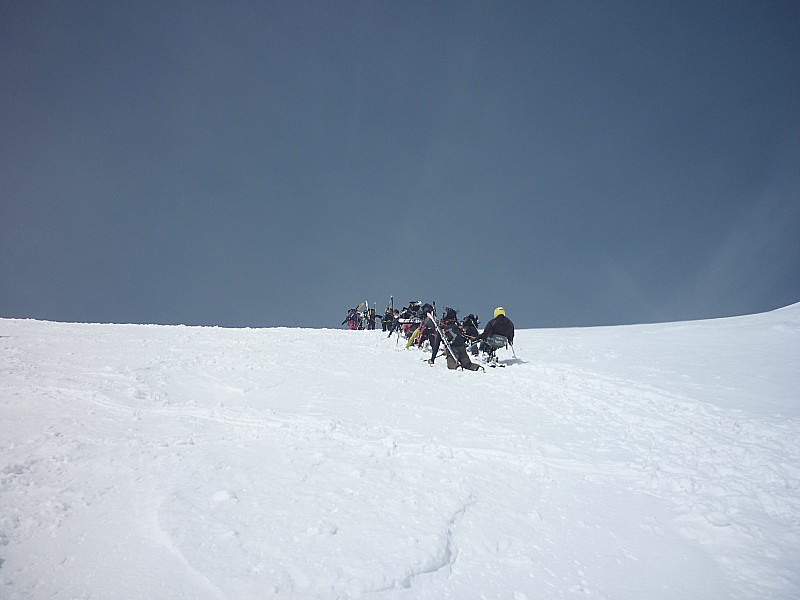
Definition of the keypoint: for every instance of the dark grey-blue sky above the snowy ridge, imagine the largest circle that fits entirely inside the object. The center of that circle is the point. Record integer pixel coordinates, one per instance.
(274, 163)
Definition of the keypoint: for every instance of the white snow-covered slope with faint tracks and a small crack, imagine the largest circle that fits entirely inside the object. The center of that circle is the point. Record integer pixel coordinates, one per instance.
(639, 462)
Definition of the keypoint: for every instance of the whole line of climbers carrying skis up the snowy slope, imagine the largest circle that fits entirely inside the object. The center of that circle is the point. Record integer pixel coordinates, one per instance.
(419, 324)
